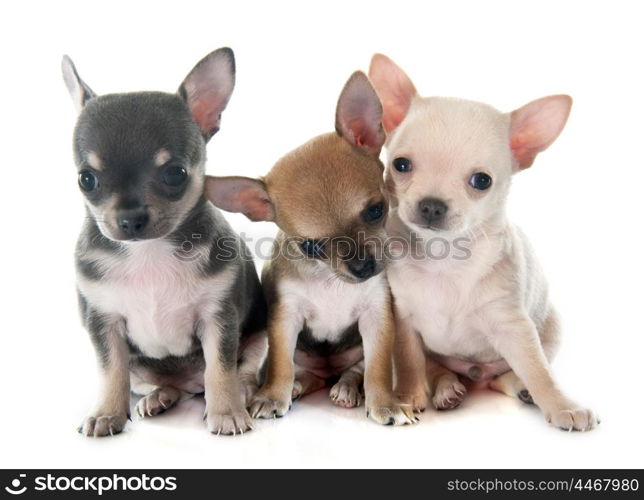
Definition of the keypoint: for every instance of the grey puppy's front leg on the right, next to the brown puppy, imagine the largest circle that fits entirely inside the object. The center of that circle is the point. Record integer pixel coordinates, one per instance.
(225, 412)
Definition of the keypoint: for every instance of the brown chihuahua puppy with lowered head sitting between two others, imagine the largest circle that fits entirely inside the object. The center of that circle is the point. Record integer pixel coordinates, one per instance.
(329, 303)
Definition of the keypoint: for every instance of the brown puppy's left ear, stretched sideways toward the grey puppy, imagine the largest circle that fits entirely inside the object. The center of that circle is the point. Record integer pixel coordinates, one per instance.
(242, 195)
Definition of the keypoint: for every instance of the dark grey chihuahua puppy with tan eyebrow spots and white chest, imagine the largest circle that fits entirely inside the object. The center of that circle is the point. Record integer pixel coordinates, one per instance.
(168, 292)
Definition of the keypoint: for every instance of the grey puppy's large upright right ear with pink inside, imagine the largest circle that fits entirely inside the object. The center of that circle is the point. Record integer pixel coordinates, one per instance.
(207, 89)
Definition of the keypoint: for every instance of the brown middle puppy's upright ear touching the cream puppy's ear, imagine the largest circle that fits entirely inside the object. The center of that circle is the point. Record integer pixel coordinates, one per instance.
(358, 116)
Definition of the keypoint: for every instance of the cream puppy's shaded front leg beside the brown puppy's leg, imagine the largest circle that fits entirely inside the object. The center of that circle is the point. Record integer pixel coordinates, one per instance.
(409, 365)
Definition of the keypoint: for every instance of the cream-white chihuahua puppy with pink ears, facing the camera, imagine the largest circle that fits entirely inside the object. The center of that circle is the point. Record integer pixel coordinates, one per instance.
(484, 313)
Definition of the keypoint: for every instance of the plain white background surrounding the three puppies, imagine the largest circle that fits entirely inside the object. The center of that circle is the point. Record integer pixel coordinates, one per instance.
(580, 203)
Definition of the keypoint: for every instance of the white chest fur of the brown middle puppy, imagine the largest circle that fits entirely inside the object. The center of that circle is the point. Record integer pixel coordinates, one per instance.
(329, 306)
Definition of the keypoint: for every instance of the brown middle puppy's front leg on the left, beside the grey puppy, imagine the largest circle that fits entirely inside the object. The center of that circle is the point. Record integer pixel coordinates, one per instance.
(274, 398)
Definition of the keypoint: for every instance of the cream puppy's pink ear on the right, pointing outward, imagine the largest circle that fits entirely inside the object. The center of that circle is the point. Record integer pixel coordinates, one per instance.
(535, 126)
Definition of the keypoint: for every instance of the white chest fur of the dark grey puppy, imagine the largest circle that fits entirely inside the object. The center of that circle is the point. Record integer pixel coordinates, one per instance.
(161, 297)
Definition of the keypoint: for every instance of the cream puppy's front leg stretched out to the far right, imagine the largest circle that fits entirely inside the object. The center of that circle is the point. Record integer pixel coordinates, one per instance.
(517, 340)
